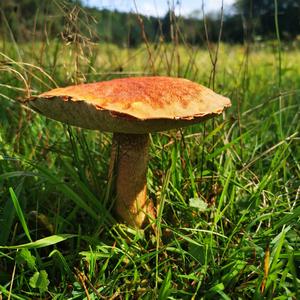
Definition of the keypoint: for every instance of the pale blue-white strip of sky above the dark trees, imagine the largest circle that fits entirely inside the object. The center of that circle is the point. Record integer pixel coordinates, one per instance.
(159, 7)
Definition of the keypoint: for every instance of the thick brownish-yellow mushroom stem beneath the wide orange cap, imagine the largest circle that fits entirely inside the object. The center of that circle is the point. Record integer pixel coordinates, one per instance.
(130, 160)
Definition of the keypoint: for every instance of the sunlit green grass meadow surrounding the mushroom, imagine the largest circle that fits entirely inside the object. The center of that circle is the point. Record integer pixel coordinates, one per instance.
(228, 192)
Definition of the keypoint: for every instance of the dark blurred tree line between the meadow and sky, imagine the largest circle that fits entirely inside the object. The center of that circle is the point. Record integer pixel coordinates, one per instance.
(68, 19)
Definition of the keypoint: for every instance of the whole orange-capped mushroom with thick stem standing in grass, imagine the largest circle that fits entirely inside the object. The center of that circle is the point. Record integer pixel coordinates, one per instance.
(131, 108)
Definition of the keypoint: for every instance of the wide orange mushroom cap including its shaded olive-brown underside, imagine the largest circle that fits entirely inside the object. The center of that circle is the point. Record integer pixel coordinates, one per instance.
(131, 105)
